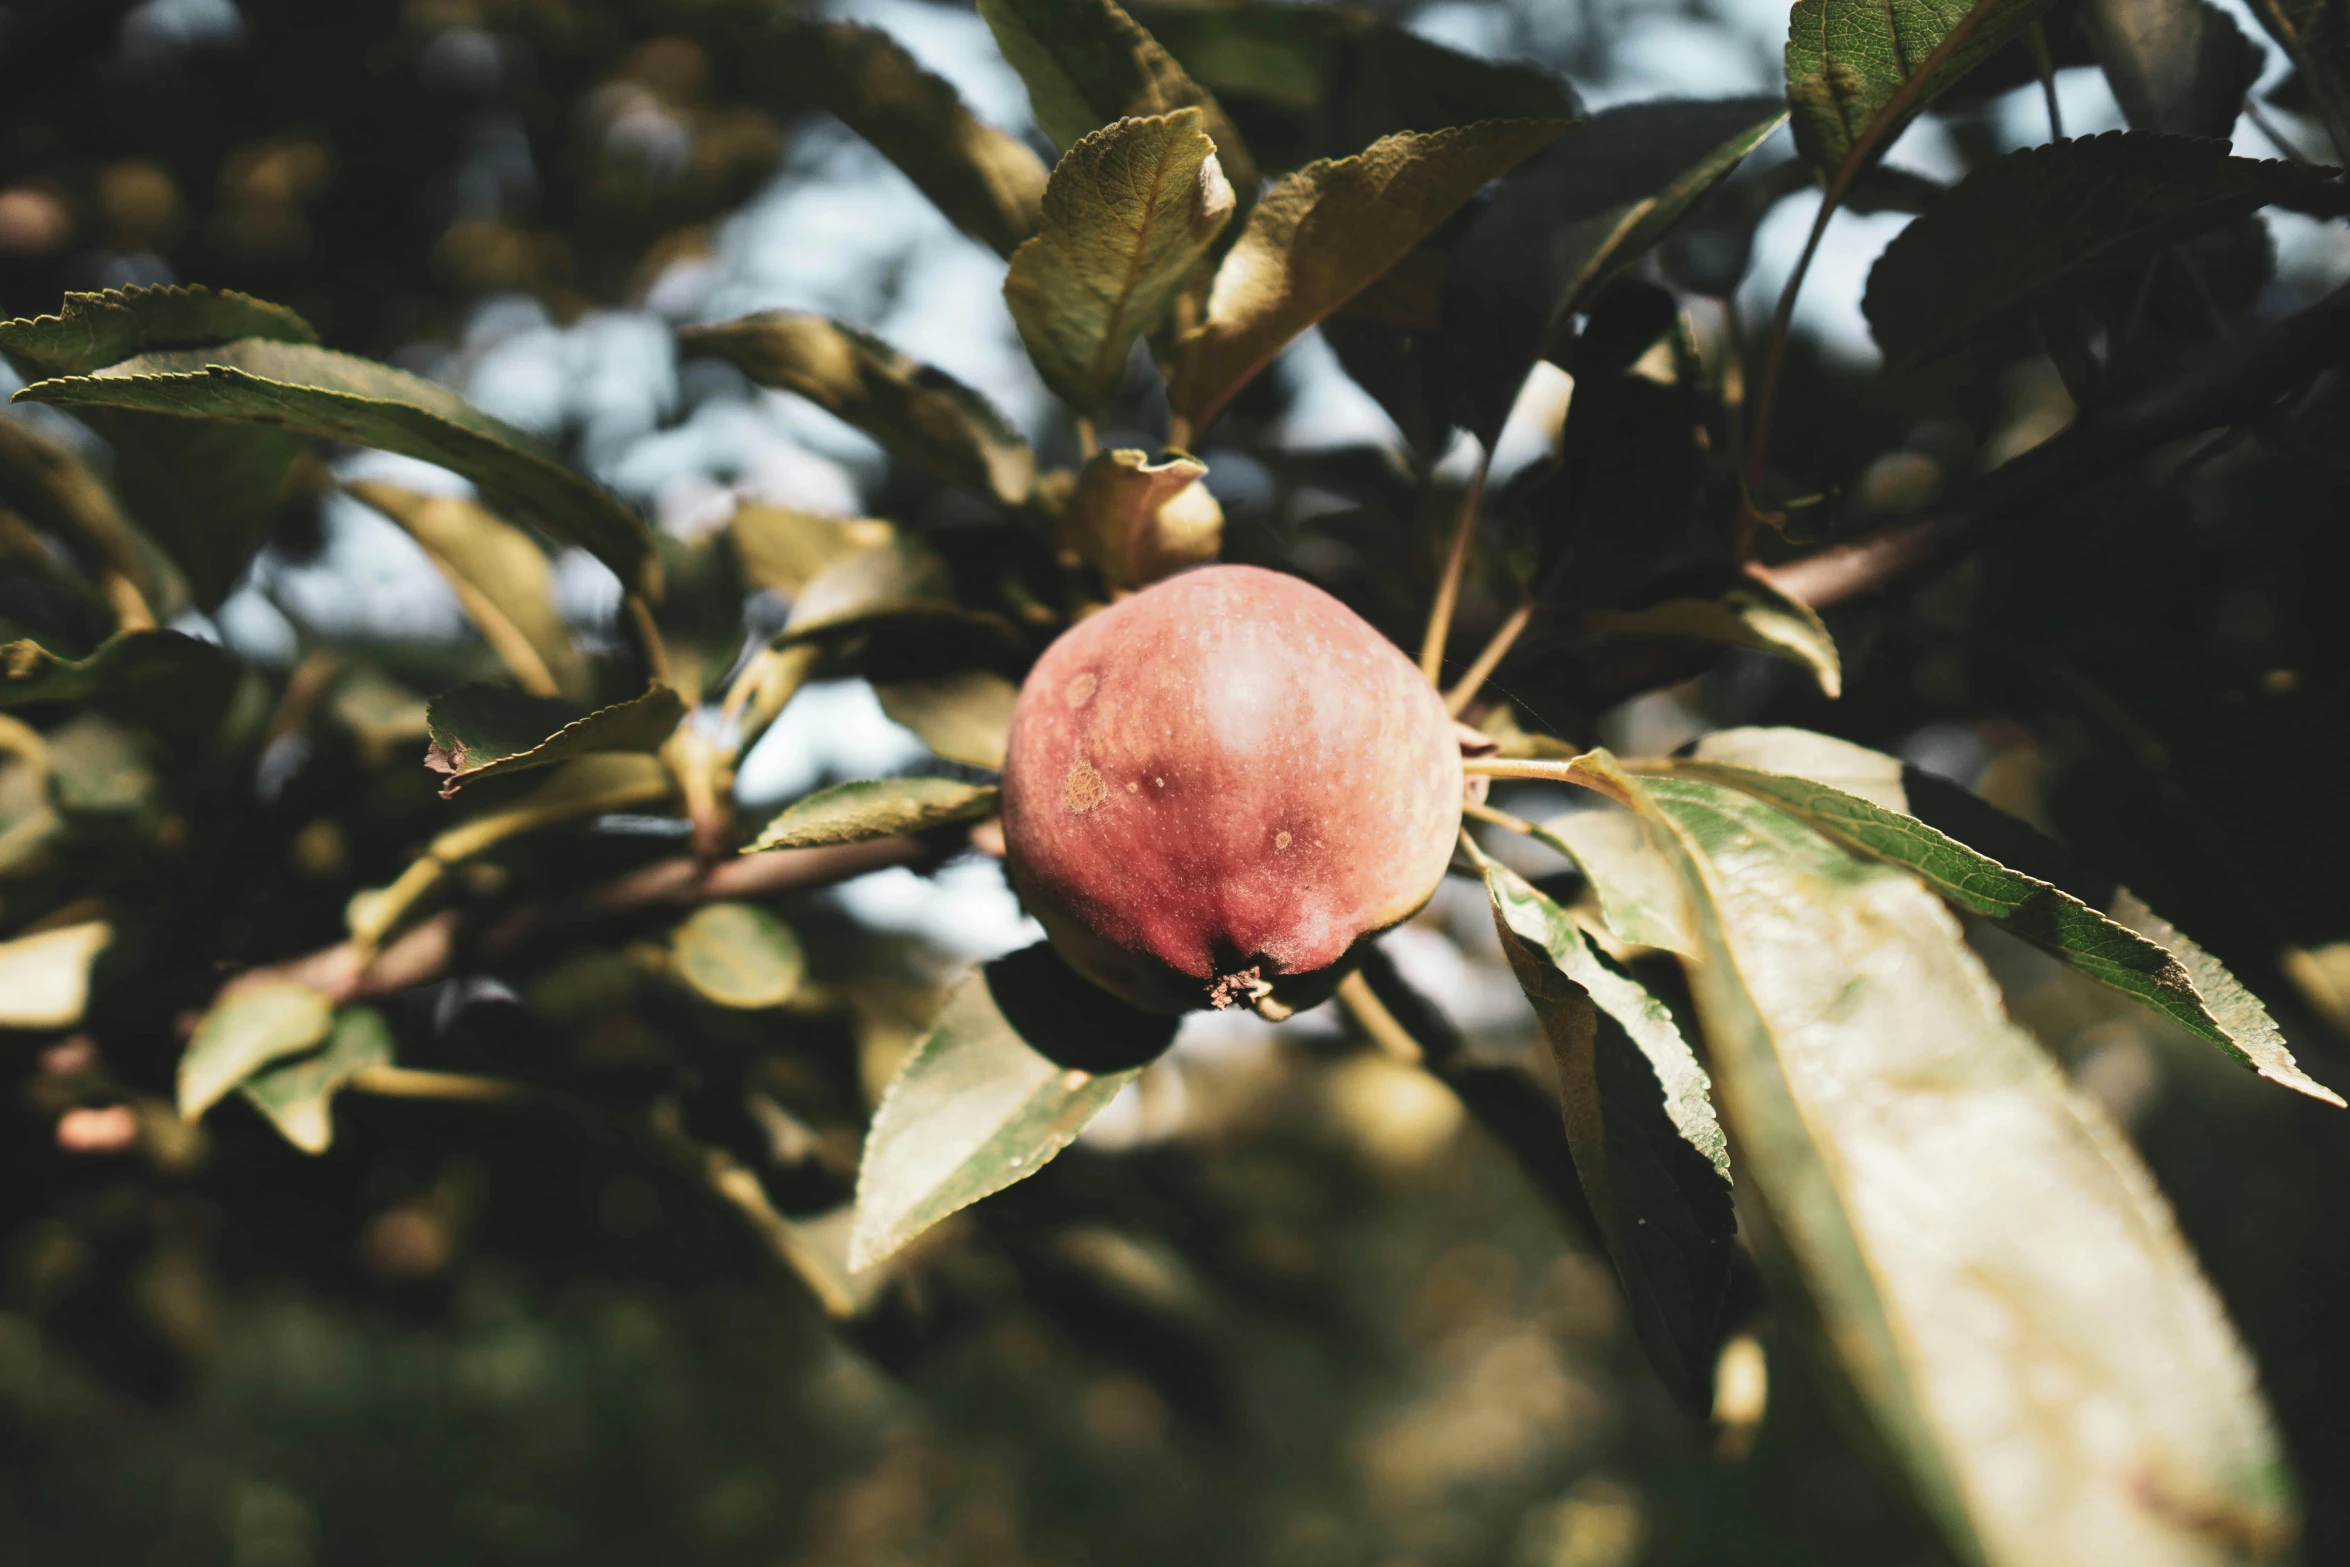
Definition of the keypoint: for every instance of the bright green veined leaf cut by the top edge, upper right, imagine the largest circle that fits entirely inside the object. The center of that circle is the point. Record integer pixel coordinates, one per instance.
(1858, 72)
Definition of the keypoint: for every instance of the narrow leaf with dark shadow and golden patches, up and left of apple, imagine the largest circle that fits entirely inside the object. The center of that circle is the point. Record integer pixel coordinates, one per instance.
(913, 410)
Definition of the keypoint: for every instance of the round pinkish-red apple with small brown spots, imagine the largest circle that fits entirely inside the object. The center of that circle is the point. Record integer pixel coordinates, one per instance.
(1221, 786)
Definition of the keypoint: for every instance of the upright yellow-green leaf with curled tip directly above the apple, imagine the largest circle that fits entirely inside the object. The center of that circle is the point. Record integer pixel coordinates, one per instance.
(1127, 220)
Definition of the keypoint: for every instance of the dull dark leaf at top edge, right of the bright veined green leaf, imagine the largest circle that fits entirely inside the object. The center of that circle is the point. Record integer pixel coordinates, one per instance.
(2177, 67)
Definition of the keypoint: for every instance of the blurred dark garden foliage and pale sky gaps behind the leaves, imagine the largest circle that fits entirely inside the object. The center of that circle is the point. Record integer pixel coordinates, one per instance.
(1284, 1303)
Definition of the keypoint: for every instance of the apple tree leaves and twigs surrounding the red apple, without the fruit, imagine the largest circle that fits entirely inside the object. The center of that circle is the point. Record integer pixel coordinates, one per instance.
(1764, 922)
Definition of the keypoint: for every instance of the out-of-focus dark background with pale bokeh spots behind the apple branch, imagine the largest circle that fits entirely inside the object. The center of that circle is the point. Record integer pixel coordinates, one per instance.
(1284, 1303)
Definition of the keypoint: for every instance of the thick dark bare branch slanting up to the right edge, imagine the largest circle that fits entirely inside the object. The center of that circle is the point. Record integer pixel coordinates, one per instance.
(2229, 384)
